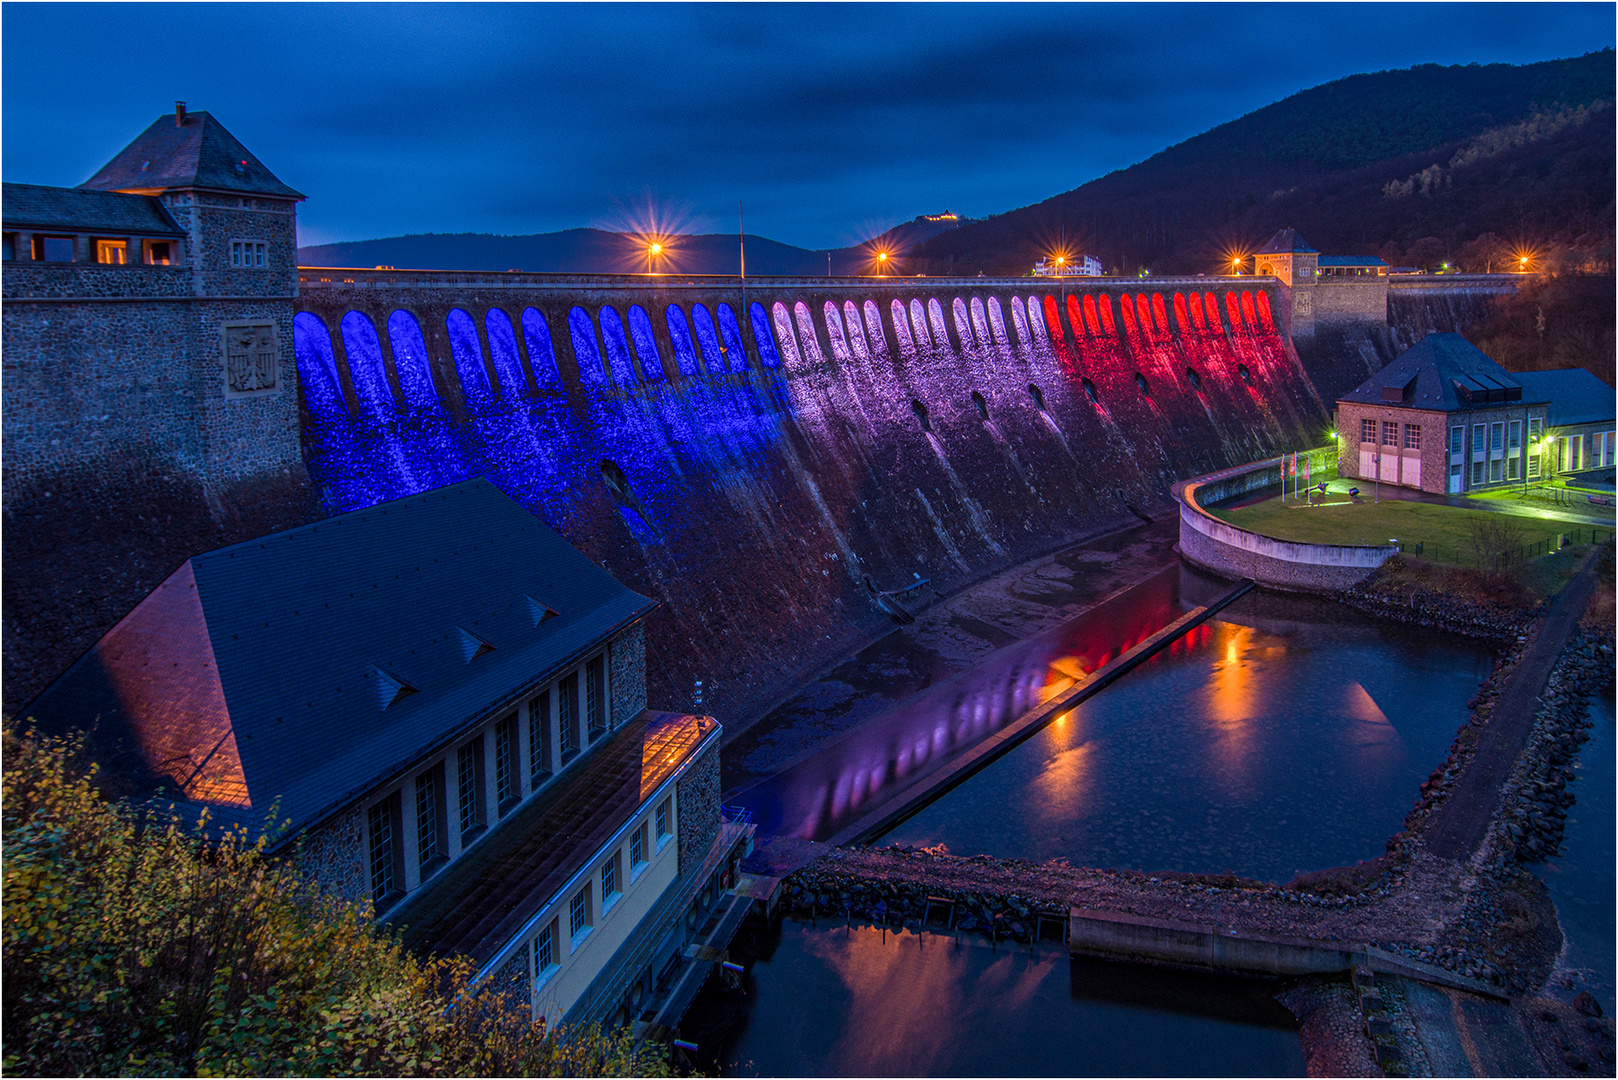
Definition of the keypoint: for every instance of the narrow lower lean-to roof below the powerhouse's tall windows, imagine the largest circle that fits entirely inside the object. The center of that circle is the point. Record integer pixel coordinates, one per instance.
(483, 899)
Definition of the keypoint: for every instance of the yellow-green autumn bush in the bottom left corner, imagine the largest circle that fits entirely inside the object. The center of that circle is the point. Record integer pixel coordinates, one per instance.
(143, 945)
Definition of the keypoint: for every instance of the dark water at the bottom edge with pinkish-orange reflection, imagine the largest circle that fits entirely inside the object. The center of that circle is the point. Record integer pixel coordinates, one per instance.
(826, 1000)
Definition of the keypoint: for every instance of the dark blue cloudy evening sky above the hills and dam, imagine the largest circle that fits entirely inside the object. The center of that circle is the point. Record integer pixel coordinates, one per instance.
(832, 122)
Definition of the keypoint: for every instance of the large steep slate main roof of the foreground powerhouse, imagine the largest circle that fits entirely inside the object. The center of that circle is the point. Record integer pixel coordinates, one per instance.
(273, 671)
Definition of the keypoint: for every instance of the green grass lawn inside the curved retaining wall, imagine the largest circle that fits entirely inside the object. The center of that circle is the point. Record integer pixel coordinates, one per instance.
(1444, 532)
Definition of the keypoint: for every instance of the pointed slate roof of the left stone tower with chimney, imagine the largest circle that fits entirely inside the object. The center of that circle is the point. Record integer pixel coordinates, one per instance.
(197, 155)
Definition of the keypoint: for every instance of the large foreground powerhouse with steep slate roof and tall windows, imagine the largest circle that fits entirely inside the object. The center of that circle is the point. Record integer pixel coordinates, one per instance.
(446, 705)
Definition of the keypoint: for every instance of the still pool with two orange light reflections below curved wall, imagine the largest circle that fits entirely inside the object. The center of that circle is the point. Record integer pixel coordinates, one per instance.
(1281, 738)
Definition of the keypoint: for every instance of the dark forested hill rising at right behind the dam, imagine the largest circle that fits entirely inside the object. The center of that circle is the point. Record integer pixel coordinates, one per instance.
(1371, 164)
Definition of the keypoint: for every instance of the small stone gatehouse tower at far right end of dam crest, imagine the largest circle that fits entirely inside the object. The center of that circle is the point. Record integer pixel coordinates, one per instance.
(1323, 289)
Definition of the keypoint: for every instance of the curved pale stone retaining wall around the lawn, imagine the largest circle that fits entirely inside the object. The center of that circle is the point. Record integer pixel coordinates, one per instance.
(1235, 553)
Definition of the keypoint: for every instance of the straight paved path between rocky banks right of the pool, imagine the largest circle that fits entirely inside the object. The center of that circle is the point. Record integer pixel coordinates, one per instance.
(1463, 820)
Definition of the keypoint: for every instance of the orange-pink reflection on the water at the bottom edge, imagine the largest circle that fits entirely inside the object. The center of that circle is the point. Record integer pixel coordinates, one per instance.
(909, 993)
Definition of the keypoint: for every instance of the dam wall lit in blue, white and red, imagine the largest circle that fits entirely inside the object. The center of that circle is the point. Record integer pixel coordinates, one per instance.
(768, 459)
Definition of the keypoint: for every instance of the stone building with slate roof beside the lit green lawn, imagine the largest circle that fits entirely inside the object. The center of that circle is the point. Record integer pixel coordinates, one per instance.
(1447, 419)
